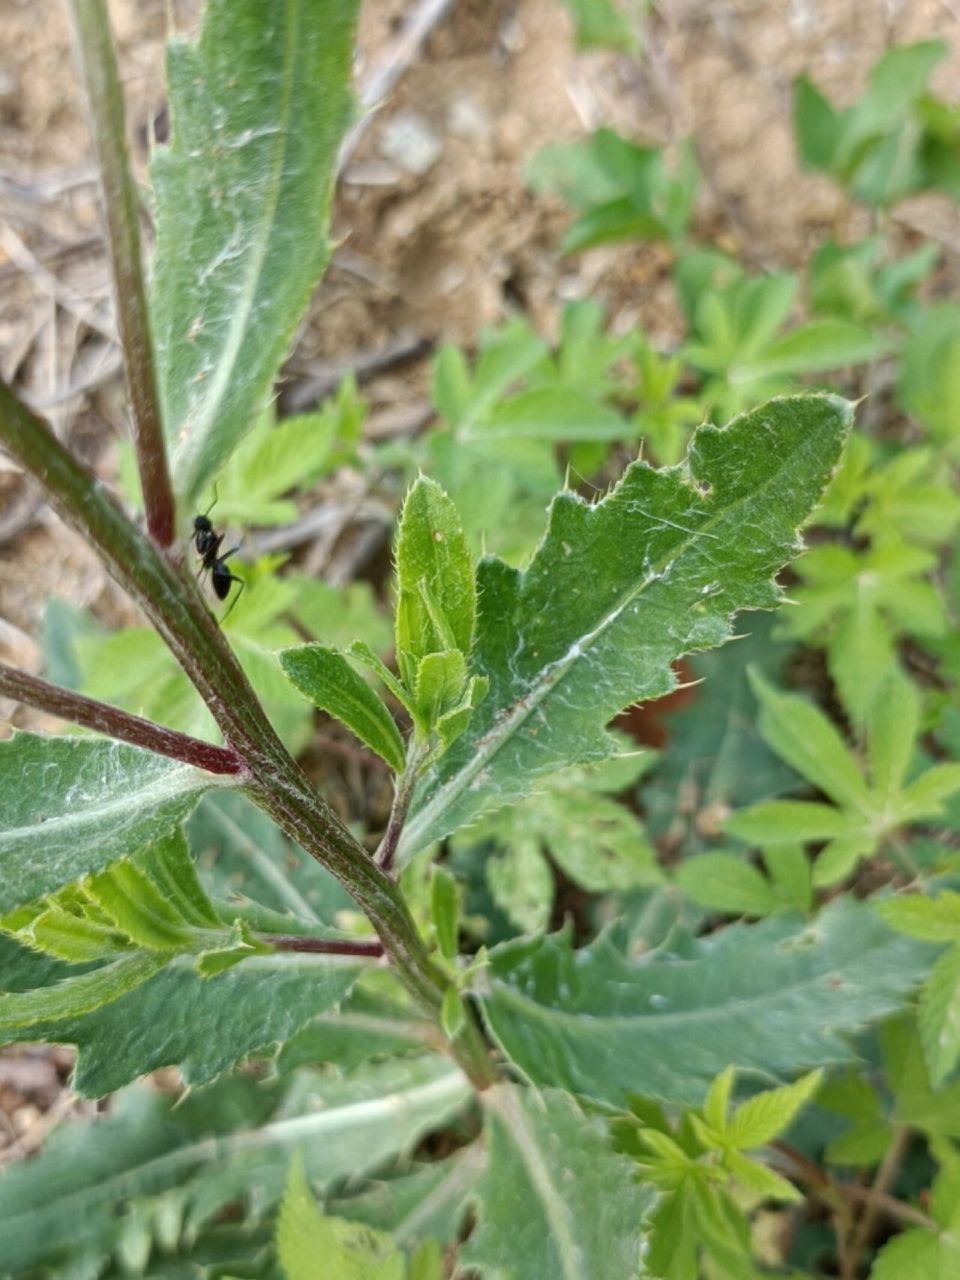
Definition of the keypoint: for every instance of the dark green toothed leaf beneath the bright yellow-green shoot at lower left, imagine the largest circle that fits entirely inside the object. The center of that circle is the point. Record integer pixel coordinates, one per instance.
(203, 1026)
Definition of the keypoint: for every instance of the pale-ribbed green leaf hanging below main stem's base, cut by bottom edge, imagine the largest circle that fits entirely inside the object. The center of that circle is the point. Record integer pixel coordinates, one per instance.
(555, 1203)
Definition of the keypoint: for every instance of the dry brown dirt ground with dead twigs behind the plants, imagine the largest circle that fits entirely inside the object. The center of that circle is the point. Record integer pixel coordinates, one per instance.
(436, 255)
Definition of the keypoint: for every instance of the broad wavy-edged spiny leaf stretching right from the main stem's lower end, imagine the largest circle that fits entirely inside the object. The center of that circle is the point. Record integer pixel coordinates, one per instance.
(775, 998)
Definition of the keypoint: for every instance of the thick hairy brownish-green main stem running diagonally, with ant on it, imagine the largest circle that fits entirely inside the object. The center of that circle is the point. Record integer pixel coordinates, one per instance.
(277, 784)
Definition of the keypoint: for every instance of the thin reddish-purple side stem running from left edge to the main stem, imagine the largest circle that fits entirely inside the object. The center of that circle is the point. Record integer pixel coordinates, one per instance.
(121, 725)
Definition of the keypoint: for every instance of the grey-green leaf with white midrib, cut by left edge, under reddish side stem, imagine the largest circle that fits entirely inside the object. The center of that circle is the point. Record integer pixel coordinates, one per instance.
(74, 806)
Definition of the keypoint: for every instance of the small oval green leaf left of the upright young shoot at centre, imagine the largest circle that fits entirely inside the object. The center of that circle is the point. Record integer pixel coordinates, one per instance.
(333, 685)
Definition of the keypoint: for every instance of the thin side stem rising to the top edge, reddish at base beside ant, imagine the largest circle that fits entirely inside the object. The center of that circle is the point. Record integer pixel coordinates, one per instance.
(98, 62)
